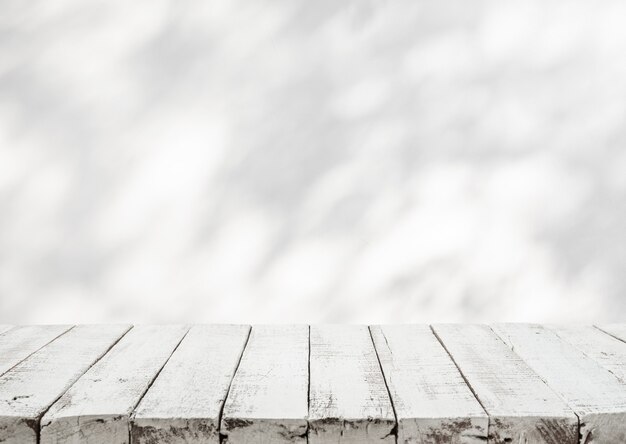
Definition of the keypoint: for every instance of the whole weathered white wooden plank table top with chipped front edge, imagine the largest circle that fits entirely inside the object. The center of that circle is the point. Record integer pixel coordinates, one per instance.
(410, 384)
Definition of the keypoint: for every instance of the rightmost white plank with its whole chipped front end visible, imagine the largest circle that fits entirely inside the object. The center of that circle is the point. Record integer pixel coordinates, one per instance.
(521, 407)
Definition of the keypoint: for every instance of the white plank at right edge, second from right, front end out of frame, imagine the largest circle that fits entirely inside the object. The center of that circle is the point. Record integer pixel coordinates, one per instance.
(606, 350)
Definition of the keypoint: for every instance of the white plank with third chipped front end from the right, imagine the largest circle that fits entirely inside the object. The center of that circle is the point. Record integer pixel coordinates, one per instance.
(433, 404)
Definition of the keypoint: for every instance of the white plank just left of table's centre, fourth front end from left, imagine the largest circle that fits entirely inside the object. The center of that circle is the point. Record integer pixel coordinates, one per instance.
(268, 398)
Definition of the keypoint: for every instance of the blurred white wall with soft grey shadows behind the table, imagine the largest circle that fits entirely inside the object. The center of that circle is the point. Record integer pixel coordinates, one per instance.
(312, 161)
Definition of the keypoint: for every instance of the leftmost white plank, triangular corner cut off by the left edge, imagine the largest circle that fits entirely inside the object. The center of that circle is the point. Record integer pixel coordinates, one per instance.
(20, 342)
